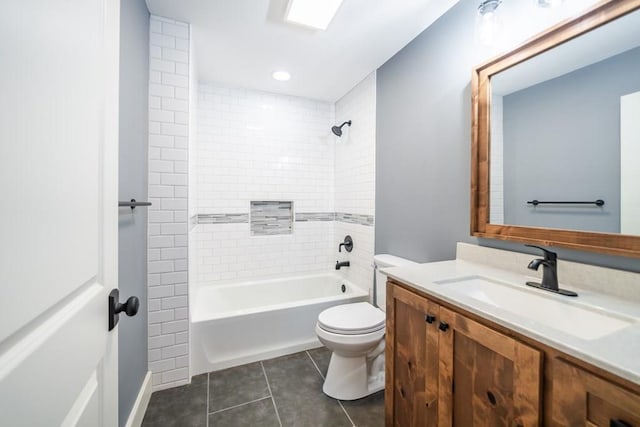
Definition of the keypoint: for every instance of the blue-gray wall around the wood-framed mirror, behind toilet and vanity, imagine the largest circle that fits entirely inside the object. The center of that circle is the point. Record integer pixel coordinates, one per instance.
(423, 141)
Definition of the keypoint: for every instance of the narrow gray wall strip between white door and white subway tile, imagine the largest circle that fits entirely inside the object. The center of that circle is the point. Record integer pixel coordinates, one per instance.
(132, 246)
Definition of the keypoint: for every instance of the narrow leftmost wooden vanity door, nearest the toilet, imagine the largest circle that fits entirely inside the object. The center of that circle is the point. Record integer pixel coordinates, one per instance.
(411, 359)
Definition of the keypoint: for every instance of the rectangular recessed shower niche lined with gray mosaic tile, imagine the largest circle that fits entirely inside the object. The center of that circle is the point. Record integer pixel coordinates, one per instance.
(269, 218)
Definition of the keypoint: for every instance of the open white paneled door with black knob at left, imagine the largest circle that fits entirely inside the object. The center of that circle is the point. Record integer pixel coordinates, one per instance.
(58, 211)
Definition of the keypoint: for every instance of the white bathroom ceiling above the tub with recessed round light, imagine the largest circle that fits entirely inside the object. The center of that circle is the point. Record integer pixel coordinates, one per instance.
(241, 42)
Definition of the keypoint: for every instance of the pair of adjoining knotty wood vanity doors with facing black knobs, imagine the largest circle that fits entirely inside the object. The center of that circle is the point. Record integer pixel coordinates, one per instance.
(444, 369)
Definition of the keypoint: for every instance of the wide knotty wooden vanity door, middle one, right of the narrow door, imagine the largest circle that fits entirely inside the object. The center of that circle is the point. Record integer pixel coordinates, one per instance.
(486, 378)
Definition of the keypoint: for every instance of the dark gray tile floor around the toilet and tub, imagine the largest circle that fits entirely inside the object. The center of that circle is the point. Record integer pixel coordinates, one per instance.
(286, 391)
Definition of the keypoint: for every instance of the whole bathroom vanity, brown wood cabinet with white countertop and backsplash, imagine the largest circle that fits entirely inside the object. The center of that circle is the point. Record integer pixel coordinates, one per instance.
(469, 344)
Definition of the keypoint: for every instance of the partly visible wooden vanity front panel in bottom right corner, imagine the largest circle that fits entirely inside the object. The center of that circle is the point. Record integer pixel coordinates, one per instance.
(583, 399)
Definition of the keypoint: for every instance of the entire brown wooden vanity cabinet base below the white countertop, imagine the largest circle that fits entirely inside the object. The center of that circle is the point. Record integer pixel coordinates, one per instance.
(446, 367)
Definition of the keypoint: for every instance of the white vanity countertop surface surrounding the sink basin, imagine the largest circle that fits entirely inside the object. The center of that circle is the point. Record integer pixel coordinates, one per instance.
(618, 352)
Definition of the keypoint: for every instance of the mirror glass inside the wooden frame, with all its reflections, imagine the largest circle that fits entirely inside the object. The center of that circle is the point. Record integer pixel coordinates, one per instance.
(565, 126)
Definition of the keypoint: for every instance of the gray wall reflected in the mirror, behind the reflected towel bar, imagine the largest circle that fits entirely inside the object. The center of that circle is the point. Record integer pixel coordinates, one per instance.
(570, 120)
